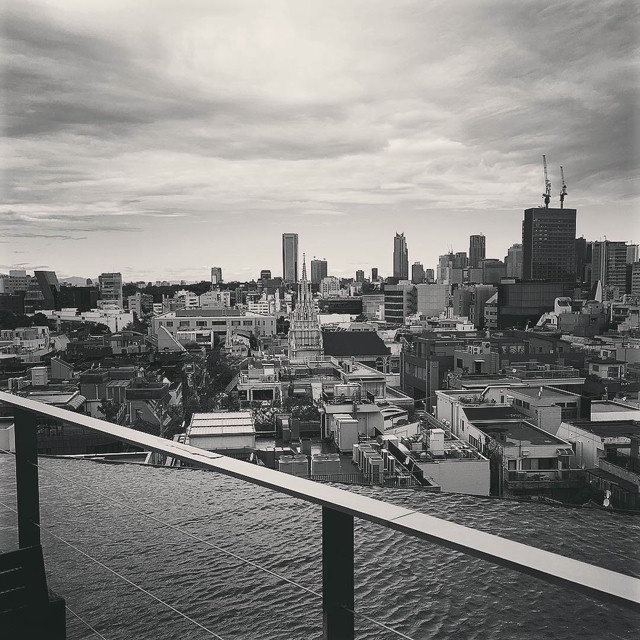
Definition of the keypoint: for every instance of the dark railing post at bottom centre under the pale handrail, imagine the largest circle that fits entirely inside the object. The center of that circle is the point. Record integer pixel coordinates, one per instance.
(337, 575)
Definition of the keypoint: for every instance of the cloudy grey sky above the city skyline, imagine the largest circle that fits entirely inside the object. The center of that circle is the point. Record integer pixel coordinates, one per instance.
(160, 138)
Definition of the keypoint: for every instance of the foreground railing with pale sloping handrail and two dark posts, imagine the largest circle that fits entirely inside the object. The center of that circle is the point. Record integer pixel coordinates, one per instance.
(339, 508)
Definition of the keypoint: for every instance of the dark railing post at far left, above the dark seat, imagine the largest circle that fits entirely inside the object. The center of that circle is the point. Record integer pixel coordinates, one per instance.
(27, 492)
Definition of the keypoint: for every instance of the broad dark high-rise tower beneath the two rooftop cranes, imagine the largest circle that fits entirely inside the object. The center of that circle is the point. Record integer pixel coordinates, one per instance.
(549, 244)
